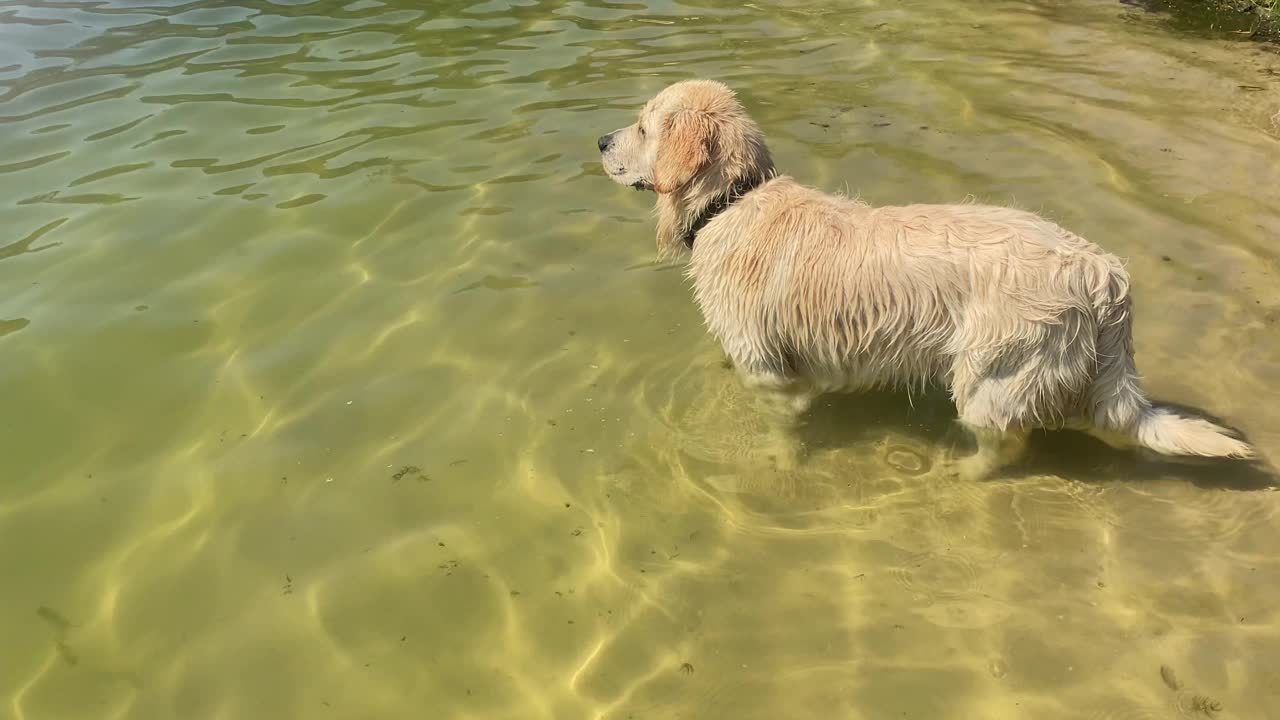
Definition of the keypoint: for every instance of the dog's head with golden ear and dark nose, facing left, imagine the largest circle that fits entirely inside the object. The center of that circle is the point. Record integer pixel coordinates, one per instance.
(693, 139)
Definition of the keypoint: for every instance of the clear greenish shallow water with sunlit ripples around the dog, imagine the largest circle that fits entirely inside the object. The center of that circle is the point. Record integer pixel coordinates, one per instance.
(339, 382)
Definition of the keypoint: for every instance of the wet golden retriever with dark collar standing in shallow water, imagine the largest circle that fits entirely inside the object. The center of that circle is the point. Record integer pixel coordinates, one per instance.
(1027, 325)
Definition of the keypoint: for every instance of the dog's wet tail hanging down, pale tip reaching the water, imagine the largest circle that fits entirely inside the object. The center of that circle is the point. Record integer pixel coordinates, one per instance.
(1121, 405)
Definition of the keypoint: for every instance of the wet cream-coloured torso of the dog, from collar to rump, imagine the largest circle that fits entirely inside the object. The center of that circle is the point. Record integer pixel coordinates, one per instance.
(797, 281)
